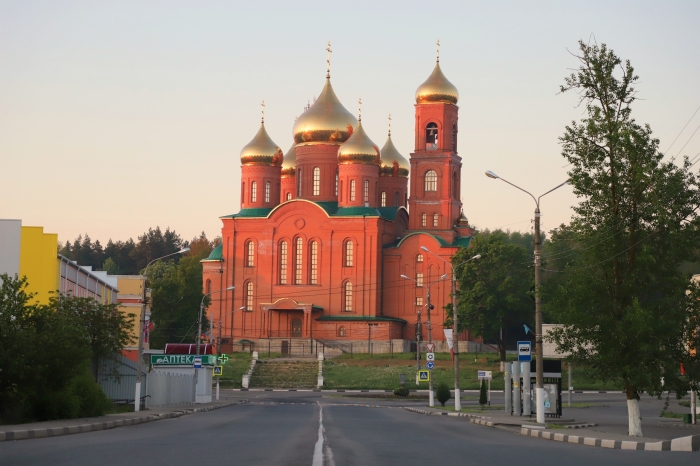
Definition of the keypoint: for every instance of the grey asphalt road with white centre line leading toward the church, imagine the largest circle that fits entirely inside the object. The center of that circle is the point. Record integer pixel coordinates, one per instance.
(314, 431)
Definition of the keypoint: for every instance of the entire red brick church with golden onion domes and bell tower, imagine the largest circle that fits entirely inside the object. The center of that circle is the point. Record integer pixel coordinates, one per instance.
(326, 231)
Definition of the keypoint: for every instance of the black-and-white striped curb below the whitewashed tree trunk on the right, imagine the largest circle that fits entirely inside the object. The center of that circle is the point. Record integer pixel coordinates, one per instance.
(691, 443)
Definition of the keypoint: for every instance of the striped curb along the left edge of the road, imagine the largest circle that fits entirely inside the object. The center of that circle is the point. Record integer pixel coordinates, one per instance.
(95, 426)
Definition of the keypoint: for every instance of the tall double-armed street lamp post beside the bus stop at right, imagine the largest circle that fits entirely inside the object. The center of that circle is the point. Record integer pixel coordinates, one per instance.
(539, 390)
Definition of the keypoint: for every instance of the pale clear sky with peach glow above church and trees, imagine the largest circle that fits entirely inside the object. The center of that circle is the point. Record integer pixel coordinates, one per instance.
(117, 116)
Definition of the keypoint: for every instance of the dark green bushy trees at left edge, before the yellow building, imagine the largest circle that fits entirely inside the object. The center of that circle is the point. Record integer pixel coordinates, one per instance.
(50, 354)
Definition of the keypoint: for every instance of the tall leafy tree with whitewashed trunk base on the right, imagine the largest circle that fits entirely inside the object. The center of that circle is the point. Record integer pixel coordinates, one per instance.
(622, 300)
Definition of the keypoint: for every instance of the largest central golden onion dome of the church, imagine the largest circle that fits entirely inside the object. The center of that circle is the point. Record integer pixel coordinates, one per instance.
(326, 121)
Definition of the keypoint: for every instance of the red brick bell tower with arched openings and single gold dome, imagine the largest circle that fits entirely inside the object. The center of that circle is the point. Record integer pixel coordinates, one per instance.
(434, 202)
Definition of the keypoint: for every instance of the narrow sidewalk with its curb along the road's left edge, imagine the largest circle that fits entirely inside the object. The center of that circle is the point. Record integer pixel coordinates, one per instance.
(110, 421)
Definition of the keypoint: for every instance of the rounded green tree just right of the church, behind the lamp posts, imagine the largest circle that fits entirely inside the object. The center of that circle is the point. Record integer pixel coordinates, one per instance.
(493, 293)
